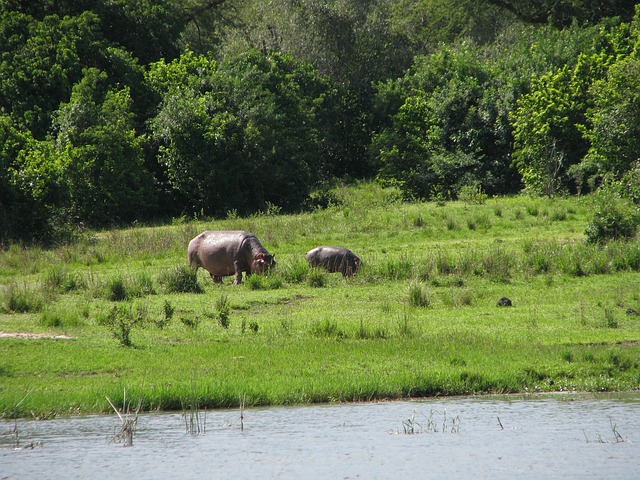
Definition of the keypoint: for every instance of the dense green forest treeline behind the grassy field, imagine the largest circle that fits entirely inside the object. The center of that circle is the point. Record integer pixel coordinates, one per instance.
(117, 111)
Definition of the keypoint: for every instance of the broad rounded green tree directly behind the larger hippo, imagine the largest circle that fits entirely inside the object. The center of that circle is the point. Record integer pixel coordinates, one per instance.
(242, 133)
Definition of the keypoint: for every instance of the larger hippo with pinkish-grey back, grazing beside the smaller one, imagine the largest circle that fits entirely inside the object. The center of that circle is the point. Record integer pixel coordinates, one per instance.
(227, 252)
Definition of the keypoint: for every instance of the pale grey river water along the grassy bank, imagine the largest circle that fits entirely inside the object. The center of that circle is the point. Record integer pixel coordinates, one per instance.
(567, 436)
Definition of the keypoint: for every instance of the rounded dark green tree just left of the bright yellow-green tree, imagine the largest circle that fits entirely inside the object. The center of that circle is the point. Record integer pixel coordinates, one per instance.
(449, 131)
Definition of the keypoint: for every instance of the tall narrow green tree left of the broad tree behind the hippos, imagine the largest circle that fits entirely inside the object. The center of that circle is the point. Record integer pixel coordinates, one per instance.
(101, 154)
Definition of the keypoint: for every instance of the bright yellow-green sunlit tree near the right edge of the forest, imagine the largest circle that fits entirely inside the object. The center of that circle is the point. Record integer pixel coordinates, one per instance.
(553, 129)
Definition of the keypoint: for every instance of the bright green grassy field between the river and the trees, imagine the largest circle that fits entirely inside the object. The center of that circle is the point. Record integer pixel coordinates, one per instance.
(419, 319)
